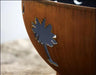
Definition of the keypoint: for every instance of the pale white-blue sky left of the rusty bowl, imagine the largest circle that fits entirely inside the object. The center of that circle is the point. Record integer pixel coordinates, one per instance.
(12, 24)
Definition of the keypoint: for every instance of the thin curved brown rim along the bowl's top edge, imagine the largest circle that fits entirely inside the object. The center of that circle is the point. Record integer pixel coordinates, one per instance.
(60, 4)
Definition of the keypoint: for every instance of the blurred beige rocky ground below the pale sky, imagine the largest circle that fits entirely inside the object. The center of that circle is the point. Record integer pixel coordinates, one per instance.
(20, 58)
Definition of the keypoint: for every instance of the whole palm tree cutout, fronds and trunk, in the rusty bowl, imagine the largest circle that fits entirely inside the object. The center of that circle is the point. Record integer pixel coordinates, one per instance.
(44, 36)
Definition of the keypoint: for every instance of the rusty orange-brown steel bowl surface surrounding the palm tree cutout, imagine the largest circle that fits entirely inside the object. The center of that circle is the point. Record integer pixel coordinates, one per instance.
(75, 27)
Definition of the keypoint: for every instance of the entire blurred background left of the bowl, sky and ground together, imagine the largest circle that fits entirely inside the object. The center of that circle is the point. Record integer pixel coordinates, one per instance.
(18, 55)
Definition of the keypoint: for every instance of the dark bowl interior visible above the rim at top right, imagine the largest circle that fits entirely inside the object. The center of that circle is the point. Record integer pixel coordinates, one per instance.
(89, 3)
